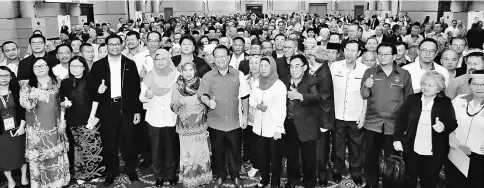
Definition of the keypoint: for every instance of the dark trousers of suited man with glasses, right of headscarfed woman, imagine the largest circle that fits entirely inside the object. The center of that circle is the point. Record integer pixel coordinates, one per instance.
(309, 157)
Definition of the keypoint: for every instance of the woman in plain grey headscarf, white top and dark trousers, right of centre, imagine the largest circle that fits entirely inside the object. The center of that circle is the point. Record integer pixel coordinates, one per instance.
(268, 97)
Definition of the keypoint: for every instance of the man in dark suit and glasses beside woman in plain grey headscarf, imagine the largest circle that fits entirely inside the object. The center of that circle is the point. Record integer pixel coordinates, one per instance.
(302, 124)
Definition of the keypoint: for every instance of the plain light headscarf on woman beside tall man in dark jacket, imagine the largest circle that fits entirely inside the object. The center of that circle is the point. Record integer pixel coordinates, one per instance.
(160, 81)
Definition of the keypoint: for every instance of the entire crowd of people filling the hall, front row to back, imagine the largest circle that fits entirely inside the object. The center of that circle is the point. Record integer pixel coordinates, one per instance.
(195, 97)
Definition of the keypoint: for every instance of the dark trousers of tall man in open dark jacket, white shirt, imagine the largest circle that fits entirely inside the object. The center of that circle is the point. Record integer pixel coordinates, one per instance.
(117, 131)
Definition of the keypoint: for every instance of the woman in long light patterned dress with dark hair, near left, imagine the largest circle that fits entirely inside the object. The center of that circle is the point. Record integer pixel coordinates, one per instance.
(46, 144)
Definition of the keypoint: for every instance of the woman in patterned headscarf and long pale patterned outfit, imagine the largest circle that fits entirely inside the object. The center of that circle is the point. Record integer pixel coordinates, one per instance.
(192, 128)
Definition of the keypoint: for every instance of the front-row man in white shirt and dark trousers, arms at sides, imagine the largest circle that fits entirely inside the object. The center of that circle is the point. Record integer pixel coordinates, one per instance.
(350, 111)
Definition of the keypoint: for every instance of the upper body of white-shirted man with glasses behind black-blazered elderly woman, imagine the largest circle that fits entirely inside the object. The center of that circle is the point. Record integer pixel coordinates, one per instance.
(428, 49)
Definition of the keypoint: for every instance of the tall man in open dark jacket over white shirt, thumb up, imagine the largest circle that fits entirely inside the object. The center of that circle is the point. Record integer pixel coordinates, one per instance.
(114, 83)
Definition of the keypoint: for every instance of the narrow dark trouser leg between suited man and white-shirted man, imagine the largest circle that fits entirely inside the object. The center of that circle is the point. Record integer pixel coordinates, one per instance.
(323, 155)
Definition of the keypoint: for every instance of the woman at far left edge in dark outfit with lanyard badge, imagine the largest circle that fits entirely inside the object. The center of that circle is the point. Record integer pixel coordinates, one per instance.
(12, 128)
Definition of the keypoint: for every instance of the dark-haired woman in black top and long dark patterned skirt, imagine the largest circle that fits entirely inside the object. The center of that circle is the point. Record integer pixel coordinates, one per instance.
(78, 103)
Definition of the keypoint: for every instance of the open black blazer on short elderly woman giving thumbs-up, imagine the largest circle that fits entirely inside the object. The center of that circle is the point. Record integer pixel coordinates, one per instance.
(409, 115)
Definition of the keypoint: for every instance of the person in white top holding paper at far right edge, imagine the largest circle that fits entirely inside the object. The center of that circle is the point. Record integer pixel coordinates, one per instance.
(468, 137)
